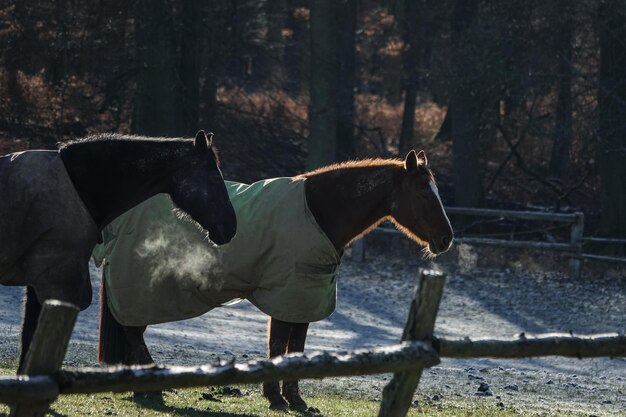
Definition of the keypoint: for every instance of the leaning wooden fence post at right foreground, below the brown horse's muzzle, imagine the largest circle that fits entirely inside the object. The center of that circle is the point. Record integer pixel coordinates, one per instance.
(398, 393)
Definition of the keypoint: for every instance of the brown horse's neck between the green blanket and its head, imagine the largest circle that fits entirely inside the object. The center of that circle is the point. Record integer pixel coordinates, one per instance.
(349, 201)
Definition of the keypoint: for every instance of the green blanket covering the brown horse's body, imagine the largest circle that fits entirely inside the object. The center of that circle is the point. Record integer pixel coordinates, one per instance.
(160, 268)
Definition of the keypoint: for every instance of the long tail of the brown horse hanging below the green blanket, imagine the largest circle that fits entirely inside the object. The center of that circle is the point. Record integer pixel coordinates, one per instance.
(112, 338)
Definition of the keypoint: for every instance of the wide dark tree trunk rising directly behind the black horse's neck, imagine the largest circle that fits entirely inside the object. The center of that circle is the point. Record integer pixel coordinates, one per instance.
(158, 105)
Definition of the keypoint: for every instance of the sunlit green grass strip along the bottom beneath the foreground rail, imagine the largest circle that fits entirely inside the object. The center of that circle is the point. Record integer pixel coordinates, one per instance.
(247, 401)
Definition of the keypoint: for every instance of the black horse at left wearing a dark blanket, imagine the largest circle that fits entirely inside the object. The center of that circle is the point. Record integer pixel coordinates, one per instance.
(54, 205)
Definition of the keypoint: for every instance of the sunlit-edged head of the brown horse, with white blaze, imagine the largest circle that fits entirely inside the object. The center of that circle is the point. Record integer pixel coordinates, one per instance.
(417, 208)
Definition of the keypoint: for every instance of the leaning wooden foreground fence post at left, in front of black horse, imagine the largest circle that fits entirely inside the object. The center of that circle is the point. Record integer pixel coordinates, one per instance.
(47, 350)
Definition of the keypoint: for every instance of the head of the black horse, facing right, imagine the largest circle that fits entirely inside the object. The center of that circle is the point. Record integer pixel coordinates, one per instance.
(198, 189)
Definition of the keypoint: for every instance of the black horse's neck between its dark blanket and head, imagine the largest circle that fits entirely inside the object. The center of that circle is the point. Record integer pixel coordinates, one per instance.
(113, 176)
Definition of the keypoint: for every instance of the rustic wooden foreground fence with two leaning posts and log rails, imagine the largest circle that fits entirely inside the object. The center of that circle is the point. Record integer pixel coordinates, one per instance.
(32, 393)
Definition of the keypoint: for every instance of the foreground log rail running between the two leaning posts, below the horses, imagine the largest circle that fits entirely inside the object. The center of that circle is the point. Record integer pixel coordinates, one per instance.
(317, 365)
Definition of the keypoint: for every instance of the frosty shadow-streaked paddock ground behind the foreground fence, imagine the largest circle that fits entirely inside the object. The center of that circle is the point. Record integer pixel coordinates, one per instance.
(510, 296)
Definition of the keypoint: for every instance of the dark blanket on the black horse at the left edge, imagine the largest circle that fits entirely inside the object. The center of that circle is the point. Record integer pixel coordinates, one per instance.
(46, 232)
